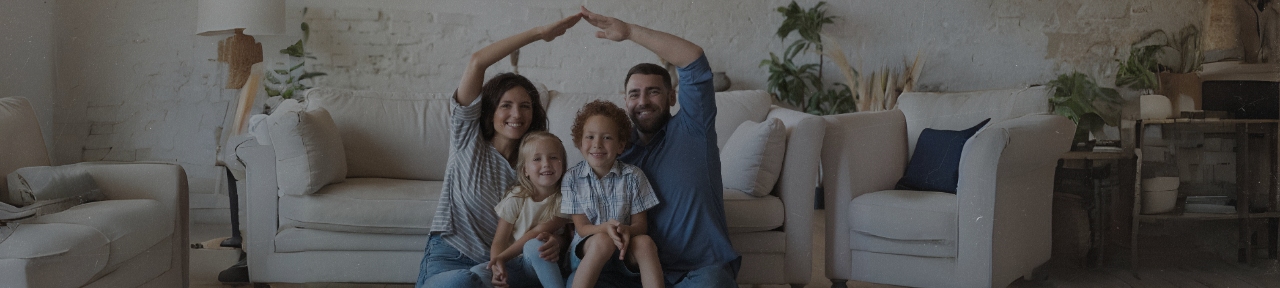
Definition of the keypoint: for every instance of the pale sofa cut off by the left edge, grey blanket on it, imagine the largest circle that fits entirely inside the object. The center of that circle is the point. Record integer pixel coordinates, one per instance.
(136, 237)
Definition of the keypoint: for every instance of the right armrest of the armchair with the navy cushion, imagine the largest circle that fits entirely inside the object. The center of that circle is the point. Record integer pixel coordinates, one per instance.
(1007, 176)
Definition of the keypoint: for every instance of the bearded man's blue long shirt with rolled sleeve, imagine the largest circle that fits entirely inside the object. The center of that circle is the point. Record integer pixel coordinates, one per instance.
(684, 168)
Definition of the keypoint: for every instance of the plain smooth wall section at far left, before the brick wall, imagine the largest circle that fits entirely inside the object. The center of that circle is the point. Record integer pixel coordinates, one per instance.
(28, 58)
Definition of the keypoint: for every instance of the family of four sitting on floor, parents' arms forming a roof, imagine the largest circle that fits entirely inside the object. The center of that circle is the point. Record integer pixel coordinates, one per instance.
(646, 205)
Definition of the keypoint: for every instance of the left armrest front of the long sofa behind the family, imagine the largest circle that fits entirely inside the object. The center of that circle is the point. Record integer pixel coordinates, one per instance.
(262, 204)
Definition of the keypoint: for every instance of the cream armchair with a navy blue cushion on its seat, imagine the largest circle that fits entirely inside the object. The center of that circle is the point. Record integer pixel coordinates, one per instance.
(995, 230)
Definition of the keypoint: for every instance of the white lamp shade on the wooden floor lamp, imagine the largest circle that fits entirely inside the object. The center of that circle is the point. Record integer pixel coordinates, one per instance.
(257, 17)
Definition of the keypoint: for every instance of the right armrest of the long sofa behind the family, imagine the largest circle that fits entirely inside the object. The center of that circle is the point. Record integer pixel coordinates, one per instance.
(797, 182)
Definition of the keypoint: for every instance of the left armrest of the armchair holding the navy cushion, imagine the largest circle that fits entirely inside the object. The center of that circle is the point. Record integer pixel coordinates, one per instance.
(862, 153)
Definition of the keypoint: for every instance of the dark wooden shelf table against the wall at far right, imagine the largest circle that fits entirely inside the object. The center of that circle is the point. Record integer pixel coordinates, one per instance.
(1242, 130)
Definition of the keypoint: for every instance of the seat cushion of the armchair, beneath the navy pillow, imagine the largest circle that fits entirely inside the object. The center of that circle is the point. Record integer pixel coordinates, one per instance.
(904, 222)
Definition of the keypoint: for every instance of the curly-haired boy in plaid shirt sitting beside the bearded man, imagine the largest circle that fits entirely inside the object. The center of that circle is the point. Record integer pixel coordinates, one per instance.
(607, 200)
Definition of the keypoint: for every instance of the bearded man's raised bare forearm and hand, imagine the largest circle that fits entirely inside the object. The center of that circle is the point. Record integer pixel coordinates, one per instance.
(675, 51)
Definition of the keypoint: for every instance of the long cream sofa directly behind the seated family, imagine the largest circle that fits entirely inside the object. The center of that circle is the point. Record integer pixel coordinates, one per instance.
(373, 227)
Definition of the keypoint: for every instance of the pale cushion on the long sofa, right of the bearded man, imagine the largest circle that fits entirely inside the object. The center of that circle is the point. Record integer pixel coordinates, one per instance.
(752, 159)
